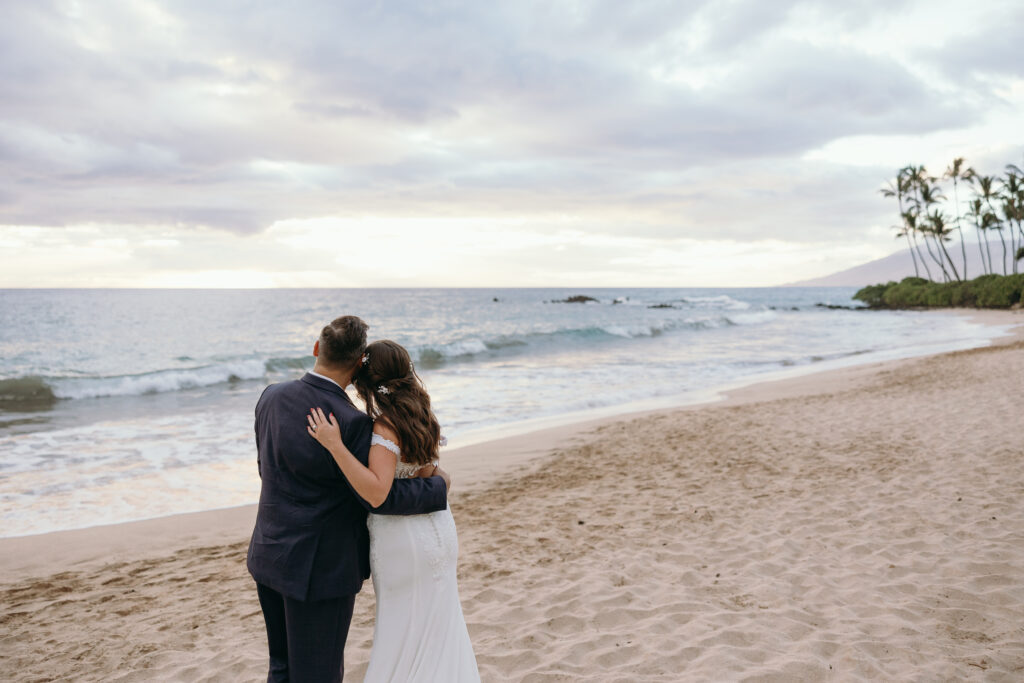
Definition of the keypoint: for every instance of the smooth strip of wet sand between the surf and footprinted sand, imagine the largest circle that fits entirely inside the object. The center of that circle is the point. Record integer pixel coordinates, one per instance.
(26, 557)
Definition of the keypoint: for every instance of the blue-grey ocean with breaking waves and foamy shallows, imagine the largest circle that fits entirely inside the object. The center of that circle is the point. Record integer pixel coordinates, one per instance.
(124, 405)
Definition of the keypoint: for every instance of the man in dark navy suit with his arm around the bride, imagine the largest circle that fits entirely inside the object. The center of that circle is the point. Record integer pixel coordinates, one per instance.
(311, 550)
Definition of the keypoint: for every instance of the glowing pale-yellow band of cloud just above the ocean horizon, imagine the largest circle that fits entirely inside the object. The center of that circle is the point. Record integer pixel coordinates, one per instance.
(348, 253)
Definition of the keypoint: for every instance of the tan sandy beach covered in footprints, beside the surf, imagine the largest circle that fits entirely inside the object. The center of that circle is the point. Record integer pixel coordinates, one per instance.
(858, 525)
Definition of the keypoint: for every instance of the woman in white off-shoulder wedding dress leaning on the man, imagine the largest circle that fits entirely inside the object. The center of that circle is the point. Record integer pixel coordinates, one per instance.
(420, 633)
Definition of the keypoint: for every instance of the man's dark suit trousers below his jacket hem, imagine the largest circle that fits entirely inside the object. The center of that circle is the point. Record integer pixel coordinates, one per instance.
(307, 639)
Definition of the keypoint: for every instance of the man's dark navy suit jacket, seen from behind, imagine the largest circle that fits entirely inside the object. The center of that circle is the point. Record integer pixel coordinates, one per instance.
(311, 541)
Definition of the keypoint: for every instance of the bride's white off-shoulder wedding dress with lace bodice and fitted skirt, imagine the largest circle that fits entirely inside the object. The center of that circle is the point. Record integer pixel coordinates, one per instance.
(420, 634)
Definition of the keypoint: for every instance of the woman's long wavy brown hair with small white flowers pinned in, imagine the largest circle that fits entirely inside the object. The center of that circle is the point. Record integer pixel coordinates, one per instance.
(404, 405)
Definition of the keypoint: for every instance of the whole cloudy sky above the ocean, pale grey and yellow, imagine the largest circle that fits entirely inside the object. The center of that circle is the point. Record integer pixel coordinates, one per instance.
(421, 144)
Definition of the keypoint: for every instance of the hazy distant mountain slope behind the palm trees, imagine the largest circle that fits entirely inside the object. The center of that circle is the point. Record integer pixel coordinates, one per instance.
(900, 266)
